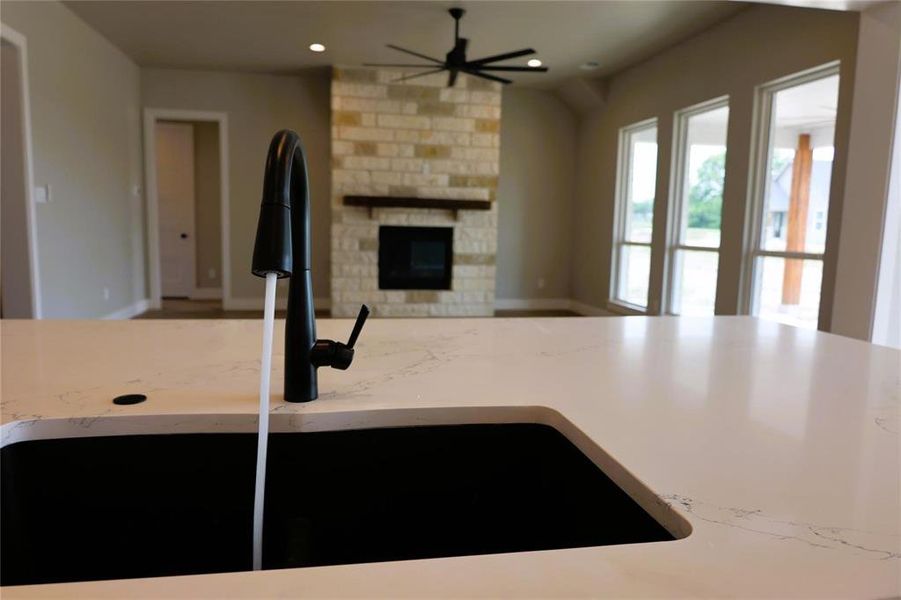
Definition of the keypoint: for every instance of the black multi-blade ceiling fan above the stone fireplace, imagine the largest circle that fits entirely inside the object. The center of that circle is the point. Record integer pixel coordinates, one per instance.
(455, 61)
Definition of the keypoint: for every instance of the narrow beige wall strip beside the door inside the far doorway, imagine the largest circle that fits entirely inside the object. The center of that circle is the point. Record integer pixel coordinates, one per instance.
(207, 220)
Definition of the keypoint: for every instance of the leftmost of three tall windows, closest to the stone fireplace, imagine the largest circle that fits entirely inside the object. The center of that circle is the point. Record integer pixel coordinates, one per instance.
(636, 184)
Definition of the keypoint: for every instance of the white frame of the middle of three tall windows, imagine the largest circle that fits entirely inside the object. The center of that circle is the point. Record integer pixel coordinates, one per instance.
(675, 212)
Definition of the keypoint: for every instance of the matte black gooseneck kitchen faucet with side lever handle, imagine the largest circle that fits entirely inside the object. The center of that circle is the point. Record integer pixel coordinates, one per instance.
(283, 247)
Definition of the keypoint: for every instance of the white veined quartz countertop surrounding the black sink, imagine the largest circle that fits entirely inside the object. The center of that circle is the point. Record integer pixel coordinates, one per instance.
(779, 446)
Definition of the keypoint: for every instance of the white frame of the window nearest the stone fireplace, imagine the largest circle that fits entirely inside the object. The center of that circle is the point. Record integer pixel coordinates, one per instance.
(622, 188)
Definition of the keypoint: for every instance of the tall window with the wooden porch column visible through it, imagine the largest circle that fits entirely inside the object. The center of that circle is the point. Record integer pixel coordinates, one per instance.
(792, 196)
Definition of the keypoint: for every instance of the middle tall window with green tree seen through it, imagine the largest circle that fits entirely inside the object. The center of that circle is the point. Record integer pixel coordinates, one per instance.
(699, 171)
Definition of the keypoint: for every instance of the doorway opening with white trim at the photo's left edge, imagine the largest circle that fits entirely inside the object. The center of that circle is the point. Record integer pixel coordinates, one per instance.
(19, 291)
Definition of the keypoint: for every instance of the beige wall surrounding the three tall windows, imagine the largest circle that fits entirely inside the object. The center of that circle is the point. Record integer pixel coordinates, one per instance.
(757, 45)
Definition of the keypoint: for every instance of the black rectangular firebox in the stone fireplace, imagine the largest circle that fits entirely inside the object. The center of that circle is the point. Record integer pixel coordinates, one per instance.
(415, 258)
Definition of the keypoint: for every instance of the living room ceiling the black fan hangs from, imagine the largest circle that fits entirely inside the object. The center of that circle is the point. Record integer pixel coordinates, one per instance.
(274, 37)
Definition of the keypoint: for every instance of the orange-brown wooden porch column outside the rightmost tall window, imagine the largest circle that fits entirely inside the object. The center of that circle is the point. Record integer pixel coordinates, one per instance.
(796, 229)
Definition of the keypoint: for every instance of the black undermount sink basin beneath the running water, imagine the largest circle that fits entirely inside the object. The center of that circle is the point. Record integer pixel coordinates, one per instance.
(96, 508)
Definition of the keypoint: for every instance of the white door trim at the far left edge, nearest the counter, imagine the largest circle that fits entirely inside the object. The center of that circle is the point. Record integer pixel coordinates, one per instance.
(18, 40)
